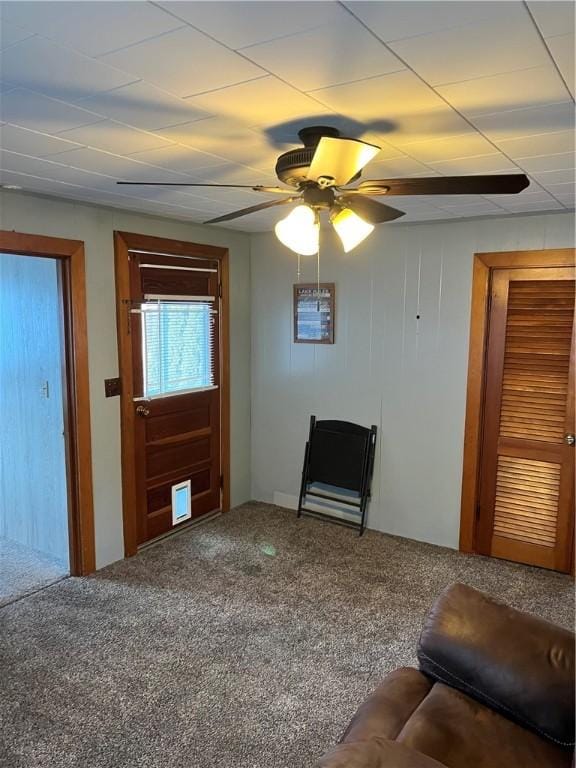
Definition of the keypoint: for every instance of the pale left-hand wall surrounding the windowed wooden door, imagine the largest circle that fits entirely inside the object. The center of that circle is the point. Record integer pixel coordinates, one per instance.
(95, 226)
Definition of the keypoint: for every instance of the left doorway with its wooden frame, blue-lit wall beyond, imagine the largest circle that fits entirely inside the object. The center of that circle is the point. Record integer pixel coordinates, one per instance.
(46, 516)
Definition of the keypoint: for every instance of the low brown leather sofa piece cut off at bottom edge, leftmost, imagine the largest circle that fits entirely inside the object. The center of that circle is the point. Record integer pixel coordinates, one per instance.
(376, 753)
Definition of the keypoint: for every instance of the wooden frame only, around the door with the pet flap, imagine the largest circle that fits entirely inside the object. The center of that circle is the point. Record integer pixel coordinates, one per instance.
(123, 243)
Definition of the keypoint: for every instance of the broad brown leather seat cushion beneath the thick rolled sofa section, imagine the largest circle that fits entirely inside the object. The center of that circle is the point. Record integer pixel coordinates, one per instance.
(459, 732)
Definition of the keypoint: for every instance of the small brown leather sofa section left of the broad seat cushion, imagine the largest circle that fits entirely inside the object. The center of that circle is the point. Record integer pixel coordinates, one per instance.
(386, 711)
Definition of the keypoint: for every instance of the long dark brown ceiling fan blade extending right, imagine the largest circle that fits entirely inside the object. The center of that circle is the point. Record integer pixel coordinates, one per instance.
(498, 184)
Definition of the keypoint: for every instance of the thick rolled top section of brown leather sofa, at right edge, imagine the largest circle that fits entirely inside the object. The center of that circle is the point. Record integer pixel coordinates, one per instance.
(515, 663)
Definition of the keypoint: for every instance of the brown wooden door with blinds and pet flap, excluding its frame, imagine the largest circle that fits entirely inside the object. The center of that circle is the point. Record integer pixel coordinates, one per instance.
(175, 330)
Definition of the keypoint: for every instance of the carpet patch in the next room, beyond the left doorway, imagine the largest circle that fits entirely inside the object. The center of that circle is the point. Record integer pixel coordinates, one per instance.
(24, 570)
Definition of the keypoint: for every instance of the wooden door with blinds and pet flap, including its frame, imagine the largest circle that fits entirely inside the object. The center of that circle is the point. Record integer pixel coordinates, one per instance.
(172, 314)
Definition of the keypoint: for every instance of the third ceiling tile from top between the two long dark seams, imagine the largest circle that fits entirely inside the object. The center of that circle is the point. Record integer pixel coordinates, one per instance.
(511, 90)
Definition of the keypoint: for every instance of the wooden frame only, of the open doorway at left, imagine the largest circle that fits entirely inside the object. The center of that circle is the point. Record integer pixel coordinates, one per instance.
(72, 280)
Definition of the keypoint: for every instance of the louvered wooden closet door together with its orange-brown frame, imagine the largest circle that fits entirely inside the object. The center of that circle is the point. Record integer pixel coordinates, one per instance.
(518, 476)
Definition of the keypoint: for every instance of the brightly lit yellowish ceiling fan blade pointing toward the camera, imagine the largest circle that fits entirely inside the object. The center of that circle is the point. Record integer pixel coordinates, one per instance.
(340, 159)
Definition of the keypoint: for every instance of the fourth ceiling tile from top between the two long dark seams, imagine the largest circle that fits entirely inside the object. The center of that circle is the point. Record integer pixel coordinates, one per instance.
(527, 122)
